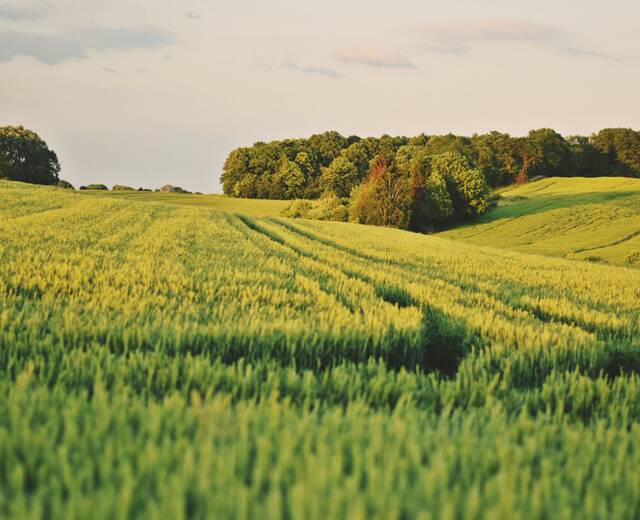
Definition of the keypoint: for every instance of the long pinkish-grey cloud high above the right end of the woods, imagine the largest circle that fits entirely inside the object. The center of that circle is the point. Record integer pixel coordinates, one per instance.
(461, 38)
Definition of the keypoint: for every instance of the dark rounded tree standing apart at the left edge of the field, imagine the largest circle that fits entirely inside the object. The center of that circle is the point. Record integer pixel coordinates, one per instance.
(26, 157)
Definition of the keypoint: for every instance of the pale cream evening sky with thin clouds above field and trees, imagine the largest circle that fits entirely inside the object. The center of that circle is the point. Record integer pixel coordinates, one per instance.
(154, 92)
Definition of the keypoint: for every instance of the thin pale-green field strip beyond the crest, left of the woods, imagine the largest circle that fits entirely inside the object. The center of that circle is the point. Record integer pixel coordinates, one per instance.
(253, 207)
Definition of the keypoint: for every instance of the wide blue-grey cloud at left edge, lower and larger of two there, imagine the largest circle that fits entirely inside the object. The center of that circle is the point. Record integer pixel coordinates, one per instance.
(53, 49)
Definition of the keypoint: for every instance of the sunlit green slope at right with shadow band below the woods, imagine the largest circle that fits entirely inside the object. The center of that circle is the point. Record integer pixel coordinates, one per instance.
(575, 218)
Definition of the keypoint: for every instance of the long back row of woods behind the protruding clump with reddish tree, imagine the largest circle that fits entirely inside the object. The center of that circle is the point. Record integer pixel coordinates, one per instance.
(331, 163)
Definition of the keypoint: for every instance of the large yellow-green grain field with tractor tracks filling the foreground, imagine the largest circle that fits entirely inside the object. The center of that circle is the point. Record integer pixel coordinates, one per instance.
(162, 360)
